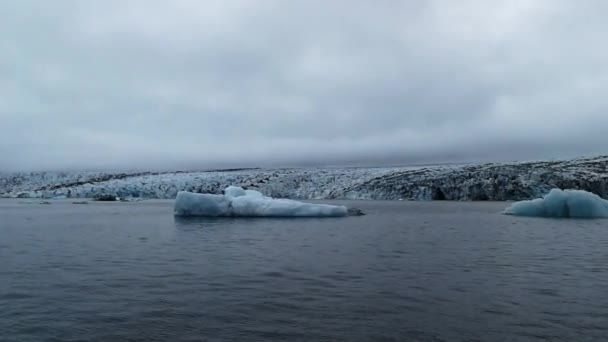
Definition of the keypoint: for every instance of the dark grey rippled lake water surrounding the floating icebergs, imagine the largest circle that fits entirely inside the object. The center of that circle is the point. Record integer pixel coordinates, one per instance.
(408, 271)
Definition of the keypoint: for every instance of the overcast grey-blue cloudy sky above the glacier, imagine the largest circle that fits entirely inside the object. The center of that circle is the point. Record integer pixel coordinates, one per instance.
(196, 84)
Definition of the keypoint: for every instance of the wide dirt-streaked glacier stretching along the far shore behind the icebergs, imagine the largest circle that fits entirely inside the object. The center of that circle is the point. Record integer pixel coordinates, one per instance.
(467, 182)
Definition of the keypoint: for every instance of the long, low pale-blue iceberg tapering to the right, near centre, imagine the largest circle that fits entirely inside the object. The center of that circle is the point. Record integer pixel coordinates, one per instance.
(237, 202)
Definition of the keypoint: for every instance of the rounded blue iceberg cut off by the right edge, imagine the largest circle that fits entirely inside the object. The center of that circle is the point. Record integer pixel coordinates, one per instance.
(562, 204)
